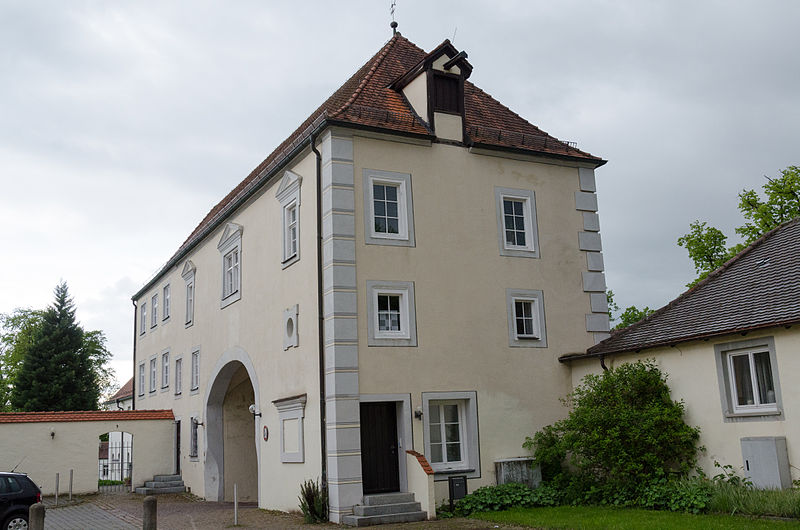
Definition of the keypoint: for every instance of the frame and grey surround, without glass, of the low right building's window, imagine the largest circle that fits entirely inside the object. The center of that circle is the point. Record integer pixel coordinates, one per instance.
(733, 412)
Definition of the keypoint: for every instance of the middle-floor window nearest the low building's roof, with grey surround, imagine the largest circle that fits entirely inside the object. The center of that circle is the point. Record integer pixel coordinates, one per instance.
(526, 323)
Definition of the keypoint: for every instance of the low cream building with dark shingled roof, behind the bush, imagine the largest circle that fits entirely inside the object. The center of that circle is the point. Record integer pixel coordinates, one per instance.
(730, 346)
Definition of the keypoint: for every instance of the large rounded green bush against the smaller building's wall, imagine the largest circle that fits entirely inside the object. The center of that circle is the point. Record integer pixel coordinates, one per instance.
(624, 431)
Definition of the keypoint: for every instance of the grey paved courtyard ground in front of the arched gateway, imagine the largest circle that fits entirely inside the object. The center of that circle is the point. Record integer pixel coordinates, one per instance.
(183, 511)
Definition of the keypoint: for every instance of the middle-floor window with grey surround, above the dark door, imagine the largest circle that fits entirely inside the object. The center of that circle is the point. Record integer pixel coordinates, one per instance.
(392, 320)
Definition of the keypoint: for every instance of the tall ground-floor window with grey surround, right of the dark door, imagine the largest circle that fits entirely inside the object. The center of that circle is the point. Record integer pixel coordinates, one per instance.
(450, 429)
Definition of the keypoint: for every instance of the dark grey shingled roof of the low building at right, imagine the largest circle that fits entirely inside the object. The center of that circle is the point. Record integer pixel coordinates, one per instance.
(757, 288)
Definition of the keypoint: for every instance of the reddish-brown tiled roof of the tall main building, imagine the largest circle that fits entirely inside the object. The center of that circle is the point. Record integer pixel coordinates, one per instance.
(366, 101)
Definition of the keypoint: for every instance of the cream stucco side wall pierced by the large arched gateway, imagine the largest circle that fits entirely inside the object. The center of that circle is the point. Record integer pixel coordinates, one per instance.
(252, 327)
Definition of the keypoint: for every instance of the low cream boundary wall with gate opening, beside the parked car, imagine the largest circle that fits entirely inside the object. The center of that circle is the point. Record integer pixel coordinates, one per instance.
(30, 448)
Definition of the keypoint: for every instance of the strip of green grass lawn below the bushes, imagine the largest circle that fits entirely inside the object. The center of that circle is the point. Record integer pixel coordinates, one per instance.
(592, 517)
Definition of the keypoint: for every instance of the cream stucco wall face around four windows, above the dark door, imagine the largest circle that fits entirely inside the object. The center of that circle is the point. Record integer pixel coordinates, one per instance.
(460, 288)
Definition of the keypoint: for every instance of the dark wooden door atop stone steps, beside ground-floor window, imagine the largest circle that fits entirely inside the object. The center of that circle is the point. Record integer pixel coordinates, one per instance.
(379, 460)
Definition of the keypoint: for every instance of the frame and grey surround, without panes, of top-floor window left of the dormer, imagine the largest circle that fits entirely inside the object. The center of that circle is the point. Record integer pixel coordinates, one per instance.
(405, 208)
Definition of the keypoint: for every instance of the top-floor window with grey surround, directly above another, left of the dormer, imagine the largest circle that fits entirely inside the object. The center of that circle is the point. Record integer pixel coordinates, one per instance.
(388, 208)
